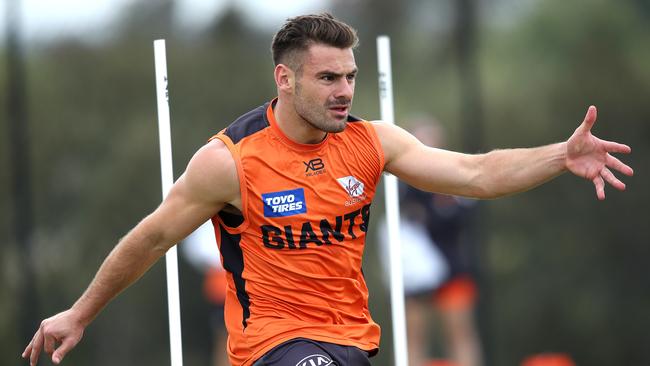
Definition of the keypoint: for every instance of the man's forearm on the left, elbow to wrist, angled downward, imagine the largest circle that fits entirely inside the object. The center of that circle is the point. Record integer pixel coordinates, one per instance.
(127, 262)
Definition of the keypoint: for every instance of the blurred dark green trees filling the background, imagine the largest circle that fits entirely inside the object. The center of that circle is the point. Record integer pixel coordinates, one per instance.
(563, 271)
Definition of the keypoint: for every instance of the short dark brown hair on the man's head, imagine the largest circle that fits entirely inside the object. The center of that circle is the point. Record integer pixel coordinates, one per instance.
(298, 33)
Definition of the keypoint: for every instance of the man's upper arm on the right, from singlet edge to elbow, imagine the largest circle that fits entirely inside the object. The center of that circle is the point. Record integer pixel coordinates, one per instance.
(424, 167)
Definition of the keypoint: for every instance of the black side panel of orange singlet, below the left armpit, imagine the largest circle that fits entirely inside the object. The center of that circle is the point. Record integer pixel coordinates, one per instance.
(233, 262)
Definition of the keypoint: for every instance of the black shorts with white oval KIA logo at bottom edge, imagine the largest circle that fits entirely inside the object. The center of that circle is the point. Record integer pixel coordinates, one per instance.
(305, 352)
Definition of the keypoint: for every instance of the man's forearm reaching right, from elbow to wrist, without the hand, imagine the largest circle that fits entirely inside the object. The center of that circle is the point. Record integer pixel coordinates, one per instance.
(504, 172)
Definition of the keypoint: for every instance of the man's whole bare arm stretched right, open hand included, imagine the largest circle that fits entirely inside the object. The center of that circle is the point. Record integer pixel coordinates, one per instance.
(502, 172)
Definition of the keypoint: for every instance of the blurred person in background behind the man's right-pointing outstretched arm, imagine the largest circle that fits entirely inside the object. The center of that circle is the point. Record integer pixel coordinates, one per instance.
(438, 267)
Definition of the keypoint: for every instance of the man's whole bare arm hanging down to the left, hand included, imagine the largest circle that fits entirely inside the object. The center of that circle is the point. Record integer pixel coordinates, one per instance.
(209, 182)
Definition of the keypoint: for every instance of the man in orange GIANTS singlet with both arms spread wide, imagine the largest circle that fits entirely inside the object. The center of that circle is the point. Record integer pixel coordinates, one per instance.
(288, 186)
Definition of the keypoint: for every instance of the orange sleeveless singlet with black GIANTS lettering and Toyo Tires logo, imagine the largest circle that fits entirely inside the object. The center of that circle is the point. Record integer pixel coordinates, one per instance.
(294, 256)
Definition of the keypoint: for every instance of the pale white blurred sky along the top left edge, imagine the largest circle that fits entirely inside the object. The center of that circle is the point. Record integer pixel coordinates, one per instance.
(43, 19)
